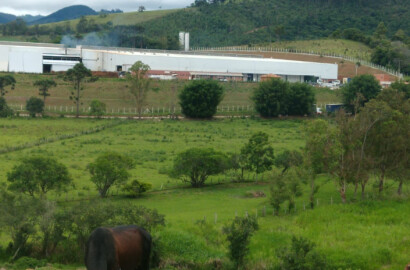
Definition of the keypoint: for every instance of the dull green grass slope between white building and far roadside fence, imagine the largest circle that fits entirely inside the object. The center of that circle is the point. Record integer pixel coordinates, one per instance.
(115, 94)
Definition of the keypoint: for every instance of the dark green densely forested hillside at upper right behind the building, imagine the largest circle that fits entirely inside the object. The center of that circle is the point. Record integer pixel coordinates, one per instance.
(220, 22)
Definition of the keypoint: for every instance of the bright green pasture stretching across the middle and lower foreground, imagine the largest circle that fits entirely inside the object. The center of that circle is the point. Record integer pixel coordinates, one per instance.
(372, 234)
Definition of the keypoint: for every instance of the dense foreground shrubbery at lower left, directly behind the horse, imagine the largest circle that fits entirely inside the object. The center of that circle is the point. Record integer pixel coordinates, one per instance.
(40, 229)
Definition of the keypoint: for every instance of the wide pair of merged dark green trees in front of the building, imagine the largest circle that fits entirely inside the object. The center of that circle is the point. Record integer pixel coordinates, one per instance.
(277, 97)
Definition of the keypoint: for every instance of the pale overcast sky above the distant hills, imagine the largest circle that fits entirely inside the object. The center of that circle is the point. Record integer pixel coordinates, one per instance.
(46, 7)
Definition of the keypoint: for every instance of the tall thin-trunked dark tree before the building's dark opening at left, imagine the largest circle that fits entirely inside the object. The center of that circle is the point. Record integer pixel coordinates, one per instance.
(78, 75)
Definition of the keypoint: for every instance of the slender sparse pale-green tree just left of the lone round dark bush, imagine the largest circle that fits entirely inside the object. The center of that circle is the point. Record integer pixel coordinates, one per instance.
(139, 84)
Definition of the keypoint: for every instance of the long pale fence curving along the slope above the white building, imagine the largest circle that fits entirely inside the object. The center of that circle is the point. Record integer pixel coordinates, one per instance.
(296, 51)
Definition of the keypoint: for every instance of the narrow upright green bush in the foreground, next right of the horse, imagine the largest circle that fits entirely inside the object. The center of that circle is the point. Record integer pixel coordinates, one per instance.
(239, 234)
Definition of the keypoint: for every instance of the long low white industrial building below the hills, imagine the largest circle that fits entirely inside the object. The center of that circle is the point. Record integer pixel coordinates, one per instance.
(45, 58)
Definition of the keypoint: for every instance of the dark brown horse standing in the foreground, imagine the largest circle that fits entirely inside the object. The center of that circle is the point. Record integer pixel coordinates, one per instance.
(124, 247)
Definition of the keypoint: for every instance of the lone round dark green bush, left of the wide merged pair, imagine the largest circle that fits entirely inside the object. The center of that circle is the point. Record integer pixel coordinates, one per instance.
(201, 98)
